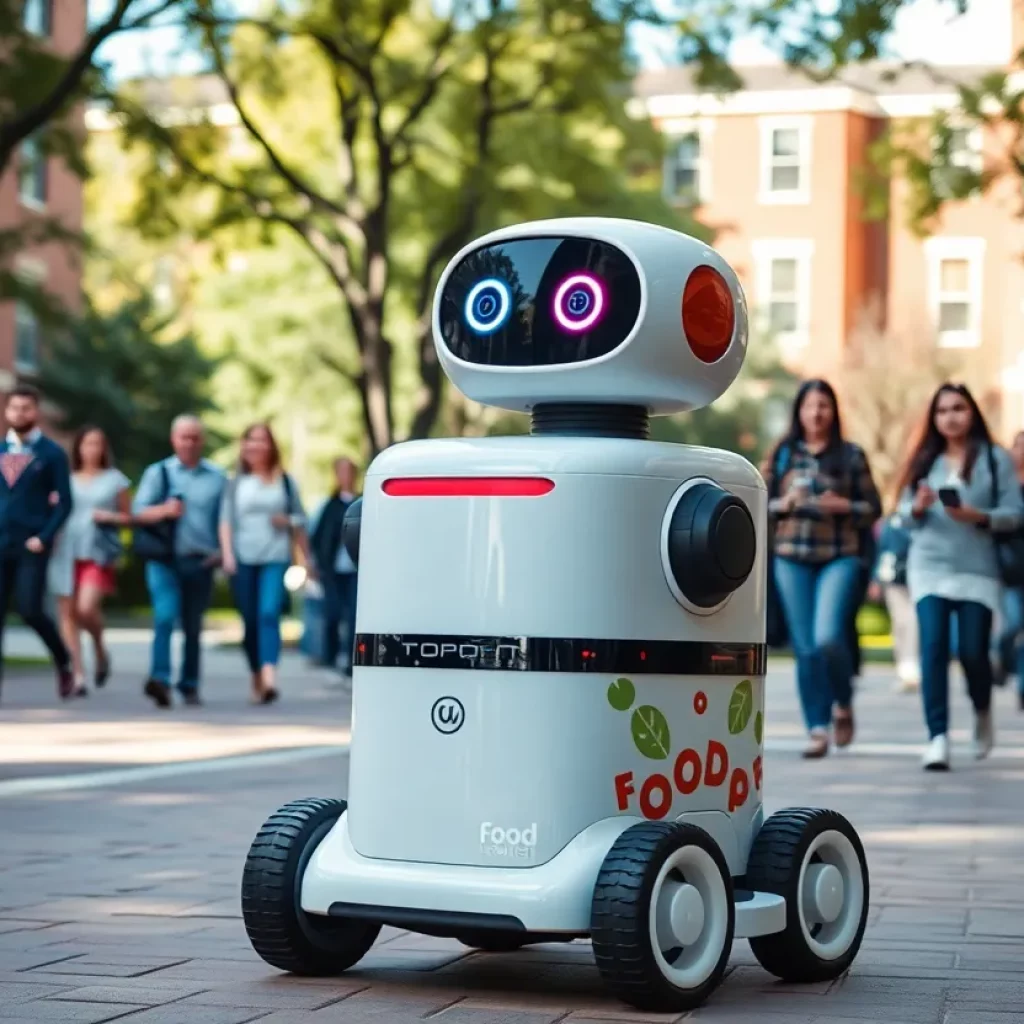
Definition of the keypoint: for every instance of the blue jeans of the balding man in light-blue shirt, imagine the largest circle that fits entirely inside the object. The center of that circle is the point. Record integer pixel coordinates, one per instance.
(180, 593)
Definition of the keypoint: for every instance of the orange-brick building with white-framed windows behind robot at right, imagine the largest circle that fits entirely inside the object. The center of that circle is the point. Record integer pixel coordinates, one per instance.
(777, 169)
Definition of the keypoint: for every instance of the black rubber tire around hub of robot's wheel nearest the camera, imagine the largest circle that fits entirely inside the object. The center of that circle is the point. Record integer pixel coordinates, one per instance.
(621, 917)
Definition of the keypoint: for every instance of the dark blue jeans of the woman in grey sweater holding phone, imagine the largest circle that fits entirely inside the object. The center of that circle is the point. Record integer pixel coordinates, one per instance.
(974, 632)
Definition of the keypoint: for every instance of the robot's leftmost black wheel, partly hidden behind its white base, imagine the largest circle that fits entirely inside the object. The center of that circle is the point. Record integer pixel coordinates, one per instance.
(280, 931)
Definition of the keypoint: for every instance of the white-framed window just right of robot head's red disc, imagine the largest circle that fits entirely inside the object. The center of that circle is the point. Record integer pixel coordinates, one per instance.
(784, 289)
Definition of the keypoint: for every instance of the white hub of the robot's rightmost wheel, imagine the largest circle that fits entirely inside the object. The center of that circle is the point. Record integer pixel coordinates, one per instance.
(831, 895)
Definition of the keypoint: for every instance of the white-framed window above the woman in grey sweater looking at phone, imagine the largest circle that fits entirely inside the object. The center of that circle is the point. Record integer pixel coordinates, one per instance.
(956, 276)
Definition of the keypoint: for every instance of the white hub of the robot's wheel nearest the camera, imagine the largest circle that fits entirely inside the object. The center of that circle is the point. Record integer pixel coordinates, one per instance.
(689, 917)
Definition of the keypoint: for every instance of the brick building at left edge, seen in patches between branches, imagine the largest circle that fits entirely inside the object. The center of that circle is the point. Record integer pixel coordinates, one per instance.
(39, 187)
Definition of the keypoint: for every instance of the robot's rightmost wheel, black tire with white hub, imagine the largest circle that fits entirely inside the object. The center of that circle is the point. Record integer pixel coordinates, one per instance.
(816, 861)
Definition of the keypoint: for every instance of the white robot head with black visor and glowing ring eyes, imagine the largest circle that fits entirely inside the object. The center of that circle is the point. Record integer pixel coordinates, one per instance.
(590, 310)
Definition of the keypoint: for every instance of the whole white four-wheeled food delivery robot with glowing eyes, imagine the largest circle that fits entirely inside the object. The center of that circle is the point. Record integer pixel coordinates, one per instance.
(559, 693)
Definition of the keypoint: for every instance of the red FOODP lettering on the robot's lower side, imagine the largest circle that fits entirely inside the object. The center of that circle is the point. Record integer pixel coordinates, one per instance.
(690, 773)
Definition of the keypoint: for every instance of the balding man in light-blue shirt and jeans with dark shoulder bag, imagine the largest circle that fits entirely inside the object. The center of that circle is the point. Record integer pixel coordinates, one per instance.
(178, 514)
